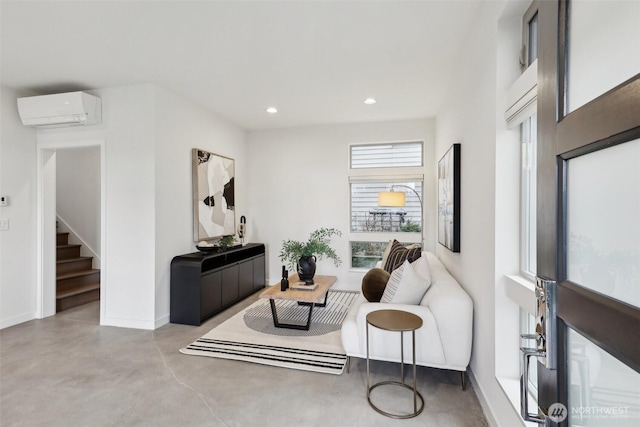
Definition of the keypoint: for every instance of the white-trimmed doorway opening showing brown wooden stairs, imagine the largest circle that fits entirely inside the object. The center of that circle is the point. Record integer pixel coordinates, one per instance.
(71, 207)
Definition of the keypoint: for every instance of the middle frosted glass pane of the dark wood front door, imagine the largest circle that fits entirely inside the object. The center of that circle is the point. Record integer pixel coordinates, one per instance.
(603, 226)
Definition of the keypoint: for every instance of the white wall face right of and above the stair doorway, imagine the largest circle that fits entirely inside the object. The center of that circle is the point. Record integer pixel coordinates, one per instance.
(128, 260)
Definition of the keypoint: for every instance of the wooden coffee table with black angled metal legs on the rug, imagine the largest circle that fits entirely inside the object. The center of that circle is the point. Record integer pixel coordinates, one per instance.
(303, 297)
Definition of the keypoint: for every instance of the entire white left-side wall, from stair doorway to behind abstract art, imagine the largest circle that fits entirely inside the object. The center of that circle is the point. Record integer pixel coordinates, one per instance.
(148, 135)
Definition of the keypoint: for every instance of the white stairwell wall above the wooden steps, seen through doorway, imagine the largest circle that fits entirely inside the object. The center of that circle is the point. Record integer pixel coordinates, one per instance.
(78, 197)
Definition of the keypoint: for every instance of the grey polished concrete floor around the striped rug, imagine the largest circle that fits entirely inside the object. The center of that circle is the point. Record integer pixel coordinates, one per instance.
(67, 370)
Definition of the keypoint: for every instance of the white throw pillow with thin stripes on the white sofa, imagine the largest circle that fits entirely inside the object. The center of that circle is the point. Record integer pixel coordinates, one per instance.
(405, 286)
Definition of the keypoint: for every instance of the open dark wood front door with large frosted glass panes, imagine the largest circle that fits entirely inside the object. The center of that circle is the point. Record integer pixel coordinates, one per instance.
(588, 210)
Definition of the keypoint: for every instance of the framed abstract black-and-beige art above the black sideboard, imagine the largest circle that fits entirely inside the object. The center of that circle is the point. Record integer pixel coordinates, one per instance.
(214, 213)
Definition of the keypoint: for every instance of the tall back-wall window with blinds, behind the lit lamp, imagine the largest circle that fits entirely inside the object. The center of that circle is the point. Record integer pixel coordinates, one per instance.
(377, 168)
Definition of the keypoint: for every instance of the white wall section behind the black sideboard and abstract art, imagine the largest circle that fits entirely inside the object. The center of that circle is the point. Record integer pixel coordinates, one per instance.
(181, 126)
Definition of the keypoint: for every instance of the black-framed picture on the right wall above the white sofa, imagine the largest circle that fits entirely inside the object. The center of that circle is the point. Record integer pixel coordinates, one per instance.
(449, 199)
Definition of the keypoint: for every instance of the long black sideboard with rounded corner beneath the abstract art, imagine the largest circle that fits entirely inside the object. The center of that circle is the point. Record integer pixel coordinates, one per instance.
(205, 284)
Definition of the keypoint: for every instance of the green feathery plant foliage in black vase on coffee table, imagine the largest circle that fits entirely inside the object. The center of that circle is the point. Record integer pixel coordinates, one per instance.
(318, 245)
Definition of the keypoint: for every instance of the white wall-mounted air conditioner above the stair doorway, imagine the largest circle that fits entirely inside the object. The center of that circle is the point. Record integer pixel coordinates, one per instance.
(60, 109)
